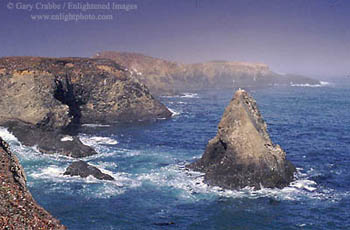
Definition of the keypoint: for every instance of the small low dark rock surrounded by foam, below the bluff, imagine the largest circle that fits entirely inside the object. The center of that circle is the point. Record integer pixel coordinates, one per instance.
(83, 169)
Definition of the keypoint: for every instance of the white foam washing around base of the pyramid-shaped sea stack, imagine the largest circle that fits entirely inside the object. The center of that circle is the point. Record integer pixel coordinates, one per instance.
(191, 184)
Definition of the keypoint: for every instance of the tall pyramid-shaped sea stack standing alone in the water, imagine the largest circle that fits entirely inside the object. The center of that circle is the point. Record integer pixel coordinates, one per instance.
(242, 153)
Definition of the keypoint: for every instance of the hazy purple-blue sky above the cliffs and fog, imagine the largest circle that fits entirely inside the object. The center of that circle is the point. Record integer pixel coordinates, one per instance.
(310, 37)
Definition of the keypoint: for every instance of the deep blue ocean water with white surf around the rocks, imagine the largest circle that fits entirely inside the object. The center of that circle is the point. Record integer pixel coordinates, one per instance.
(153, 188)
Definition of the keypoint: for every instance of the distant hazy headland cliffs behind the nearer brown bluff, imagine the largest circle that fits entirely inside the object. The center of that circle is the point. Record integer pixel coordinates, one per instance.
(164, 77)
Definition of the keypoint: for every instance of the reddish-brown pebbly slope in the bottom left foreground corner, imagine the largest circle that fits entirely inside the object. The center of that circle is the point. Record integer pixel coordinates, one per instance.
(18, 210)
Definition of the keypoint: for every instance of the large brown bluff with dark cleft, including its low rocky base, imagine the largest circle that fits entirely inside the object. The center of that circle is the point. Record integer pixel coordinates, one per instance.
(50, 96)
